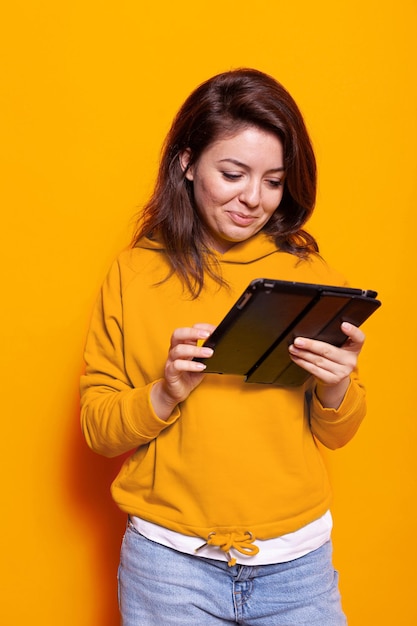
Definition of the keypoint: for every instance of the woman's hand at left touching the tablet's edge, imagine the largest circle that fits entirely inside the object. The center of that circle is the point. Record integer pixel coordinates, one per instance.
(182, 374)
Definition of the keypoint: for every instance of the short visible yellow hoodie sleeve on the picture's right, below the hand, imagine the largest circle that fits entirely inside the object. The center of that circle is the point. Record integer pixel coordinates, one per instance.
(334, 428)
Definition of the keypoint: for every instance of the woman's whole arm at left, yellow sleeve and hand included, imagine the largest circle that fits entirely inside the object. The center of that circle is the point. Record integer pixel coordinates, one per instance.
(116, 415)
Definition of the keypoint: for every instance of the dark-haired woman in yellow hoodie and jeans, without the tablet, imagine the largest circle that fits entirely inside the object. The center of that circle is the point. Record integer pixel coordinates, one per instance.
(225, 490)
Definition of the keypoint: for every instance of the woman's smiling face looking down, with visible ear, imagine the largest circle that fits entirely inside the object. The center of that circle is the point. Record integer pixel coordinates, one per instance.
(238, 184)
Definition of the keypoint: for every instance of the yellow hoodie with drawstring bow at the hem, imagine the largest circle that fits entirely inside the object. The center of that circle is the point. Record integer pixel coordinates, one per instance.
(235, 462)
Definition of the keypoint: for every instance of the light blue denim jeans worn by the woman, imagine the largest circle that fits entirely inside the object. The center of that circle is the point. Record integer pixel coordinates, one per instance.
(159, 586)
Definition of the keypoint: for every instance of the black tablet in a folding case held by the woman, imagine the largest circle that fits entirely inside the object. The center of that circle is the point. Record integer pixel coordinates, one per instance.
(252, 340)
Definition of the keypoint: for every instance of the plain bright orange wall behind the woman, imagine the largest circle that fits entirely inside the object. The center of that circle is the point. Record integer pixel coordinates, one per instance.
(87, 92)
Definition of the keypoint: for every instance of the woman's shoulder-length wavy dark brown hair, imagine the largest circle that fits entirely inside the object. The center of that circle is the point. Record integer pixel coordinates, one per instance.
(221, 107)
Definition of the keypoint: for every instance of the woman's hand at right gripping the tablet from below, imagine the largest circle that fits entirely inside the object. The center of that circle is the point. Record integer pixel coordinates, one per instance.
(331, 366)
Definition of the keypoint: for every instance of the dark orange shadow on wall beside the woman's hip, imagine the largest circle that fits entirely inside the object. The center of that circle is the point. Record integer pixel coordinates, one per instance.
(89, 477)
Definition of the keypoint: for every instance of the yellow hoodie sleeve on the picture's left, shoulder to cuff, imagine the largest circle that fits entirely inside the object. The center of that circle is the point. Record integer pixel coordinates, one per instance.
(116, 417)
